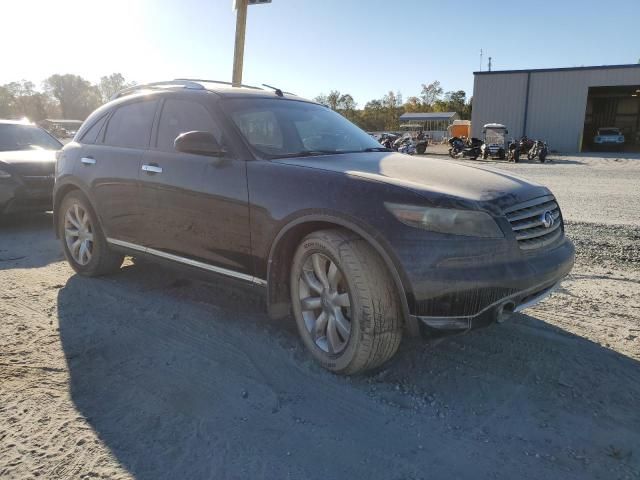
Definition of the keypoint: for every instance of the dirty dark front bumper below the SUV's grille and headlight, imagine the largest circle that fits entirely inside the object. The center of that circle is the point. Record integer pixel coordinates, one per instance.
(456, 299)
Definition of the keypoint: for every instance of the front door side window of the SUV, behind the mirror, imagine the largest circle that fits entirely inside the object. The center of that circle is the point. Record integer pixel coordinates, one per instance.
(180, 116)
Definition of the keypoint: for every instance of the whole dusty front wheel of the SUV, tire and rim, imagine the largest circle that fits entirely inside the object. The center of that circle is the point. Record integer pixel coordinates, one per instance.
(374, 315)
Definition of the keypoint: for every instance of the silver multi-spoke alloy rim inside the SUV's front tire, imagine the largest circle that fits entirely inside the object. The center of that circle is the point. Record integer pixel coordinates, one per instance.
(325, 303)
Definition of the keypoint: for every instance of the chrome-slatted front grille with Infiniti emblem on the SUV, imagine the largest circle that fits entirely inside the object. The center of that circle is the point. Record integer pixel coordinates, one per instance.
(528, 225)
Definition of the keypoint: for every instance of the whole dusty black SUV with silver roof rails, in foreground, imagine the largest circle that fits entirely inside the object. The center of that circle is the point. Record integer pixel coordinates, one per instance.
(362, 244)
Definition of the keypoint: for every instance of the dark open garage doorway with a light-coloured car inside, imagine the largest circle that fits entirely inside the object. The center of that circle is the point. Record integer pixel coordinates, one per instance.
(612, 119)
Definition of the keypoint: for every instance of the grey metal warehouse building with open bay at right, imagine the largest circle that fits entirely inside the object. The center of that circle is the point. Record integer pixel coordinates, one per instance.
(563, 106)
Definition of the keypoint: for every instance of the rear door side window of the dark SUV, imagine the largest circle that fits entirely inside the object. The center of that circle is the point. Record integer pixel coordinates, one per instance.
(130, 125)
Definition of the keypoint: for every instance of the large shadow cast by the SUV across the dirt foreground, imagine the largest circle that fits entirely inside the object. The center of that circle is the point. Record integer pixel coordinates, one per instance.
(185, 379)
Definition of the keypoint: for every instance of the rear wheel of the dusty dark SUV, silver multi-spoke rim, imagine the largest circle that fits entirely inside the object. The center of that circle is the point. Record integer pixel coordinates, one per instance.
(101, 260)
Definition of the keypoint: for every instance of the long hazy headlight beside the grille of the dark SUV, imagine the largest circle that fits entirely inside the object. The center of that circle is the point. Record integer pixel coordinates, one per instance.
(470, 223)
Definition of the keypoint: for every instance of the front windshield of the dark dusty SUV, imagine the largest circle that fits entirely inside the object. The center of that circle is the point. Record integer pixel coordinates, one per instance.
(278, 128)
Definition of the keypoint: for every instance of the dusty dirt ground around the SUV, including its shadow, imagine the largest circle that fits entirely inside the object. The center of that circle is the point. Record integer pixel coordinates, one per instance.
(153, 374)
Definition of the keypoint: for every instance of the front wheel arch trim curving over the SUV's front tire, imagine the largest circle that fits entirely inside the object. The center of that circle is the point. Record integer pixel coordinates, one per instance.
(283, 248)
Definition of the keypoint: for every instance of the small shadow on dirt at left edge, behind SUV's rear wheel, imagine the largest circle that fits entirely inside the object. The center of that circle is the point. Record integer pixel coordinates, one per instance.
(22, 244)
